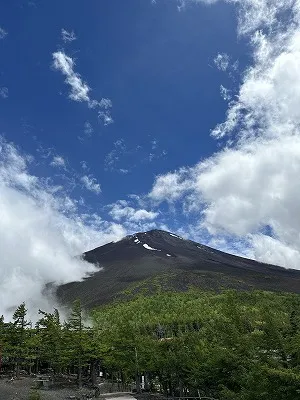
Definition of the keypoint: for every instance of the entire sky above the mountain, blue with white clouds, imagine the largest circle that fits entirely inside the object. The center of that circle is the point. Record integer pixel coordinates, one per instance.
(123, 116)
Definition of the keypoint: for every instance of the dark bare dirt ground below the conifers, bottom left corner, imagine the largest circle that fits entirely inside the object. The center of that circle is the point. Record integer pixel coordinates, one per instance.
(21, 388)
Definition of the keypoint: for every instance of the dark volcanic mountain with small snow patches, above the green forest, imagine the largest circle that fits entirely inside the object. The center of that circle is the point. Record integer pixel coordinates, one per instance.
(166, 260)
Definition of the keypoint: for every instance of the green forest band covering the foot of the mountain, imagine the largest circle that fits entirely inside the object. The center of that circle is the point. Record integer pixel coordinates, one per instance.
(231, 345)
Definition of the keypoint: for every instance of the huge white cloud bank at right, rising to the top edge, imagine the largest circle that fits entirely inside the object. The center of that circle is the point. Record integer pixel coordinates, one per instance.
(253, 182)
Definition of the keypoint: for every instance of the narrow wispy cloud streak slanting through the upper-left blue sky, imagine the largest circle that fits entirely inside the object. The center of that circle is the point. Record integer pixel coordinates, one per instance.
(80, 91)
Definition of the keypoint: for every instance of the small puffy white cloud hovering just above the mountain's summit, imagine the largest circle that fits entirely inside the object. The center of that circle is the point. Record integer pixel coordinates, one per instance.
(121, 210)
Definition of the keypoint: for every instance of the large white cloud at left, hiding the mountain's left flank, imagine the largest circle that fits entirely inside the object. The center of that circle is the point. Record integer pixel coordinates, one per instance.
(41, 231)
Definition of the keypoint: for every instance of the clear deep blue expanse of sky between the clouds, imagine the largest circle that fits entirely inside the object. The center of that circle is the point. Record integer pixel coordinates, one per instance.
(154, 63)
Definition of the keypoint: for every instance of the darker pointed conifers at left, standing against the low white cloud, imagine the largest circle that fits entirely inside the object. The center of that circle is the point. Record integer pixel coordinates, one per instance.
(49, 346)
